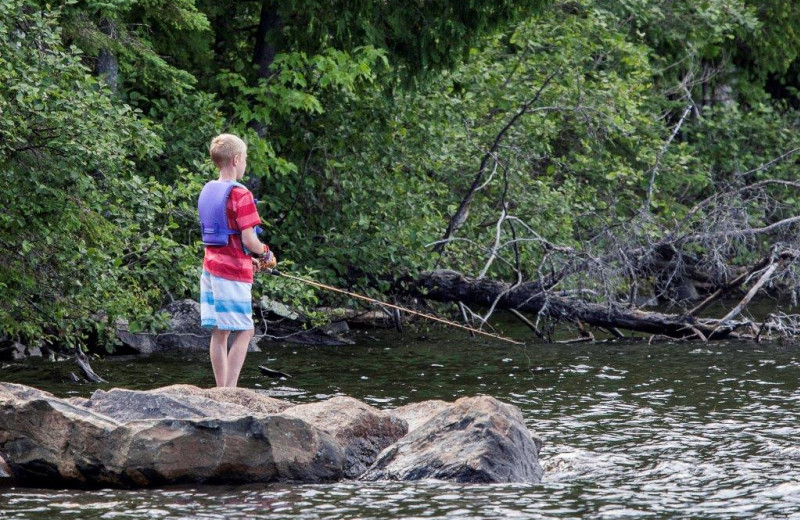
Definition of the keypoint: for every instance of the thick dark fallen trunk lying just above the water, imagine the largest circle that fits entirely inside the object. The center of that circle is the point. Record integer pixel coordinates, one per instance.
(530, 298)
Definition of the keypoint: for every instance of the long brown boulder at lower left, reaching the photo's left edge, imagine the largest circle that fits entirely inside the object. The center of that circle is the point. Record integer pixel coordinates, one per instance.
(50, 442)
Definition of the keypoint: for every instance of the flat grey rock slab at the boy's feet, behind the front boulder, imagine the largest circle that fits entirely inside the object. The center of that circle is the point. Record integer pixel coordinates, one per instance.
(129, 405)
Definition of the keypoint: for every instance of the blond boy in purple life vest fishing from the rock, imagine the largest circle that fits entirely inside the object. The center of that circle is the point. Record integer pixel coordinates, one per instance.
(228, 216)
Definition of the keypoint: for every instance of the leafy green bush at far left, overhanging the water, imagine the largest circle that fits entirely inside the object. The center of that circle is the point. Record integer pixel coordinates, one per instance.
(80, 230)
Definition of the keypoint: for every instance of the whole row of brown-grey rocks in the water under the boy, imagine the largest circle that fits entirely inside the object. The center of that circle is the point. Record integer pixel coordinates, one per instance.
(185, 434)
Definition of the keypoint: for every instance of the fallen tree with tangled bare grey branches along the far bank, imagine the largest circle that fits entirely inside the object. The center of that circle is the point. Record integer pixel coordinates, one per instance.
(605, 281)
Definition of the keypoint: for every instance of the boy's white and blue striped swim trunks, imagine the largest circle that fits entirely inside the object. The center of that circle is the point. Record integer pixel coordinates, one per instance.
(225, 304)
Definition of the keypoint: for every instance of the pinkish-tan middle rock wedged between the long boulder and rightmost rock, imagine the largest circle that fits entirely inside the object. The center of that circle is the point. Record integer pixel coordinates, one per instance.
(360, 429)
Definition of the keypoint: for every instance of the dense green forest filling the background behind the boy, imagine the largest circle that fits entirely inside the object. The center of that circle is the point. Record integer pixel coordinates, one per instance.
(499, 139)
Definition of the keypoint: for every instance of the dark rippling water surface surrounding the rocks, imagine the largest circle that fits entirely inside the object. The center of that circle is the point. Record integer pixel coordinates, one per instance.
(631, 430)
